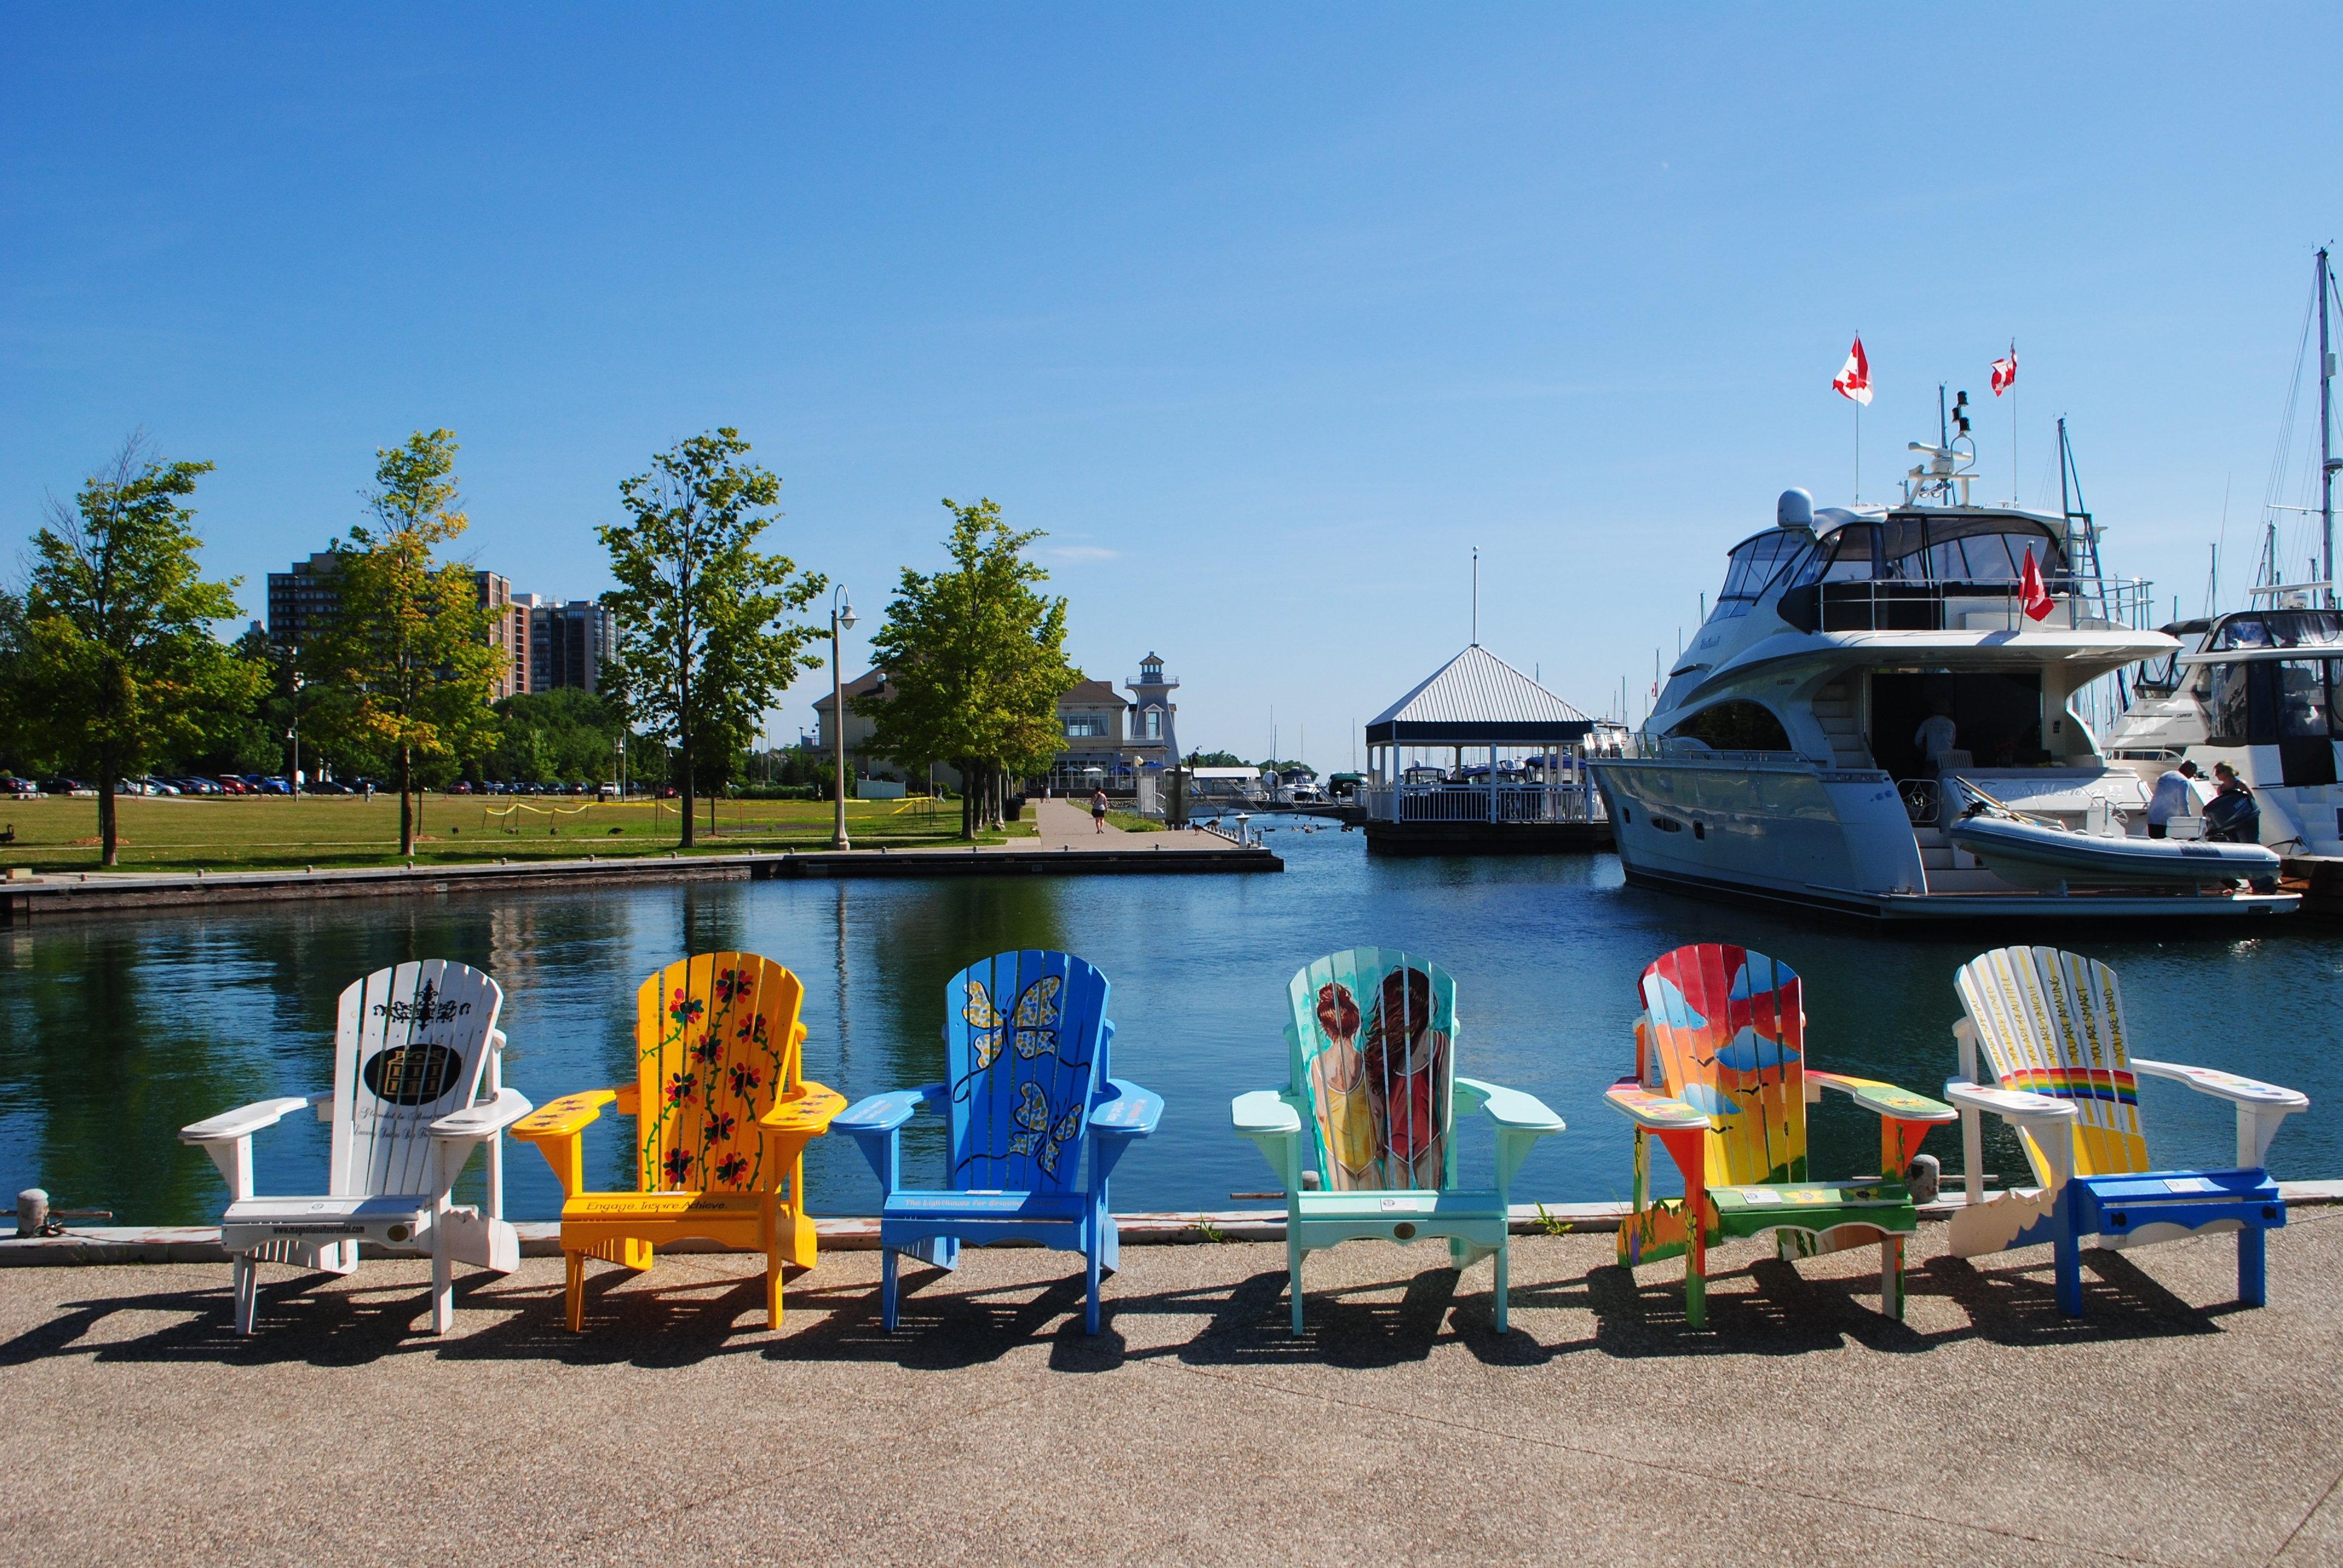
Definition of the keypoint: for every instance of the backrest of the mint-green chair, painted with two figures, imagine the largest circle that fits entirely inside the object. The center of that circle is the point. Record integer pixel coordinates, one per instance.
(1372, 1035)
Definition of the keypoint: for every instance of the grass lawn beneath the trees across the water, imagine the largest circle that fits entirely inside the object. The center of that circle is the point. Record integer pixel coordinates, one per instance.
(273, 833)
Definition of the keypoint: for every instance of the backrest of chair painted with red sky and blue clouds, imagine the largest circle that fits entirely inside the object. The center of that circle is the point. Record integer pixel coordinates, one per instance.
(1726, 1032)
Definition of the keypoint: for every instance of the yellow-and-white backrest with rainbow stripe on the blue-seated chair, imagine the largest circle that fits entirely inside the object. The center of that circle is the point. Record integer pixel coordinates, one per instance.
(2051, 1023)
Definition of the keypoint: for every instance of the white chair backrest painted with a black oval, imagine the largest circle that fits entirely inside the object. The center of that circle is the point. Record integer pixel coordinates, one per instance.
(411, 1047)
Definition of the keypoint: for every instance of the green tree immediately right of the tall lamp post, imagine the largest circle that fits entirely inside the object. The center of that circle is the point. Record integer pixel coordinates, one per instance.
(976, 657)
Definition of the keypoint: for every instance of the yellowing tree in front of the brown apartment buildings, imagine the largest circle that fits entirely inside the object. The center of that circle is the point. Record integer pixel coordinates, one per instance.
(407, 662)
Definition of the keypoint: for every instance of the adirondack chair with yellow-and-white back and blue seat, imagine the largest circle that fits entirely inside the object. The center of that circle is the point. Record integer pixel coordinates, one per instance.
(2058, 1068)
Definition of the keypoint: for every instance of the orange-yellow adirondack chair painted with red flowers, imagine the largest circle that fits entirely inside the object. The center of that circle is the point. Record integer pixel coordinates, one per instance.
(723, 1119)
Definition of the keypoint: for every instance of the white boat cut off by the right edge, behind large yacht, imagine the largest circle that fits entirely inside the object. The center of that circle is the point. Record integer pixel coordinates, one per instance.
(2255, 690)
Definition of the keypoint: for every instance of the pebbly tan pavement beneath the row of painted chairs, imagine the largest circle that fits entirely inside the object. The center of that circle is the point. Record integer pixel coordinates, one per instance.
(2164, 1429)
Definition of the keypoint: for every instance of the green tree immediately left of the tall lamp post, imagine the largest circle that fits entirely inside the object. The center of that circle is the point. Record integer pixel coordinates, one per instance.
(702, 632)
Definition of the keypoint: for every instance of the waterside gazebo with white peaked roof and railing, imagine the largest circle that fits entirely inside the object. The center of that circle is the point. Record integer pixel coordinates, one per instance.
(1529, 791)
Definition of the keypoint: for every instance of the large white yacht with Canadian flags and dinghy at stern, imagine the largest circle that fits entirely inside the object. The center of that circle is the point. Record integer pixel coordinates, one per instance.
(1787, 756)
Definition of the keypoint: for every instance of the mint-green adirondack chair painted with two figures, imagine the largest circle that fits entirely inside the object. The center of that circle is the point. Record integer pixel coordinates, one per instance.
(1365, 1131)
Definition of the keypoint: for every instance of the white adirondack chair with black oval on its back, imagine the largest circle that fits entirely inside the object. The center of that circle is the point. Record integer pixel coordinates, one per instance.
(414, 1047)
